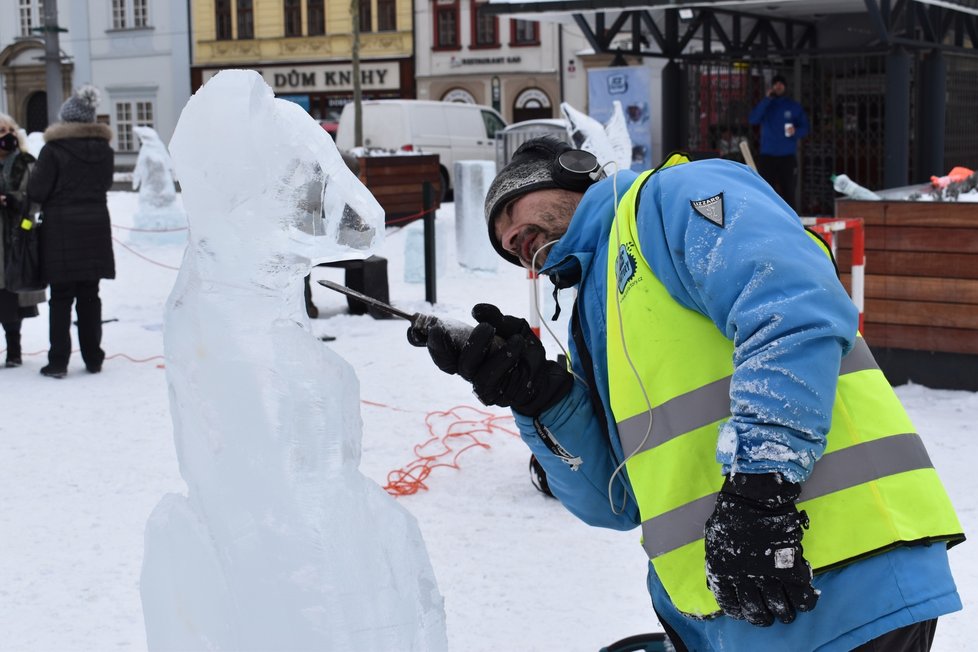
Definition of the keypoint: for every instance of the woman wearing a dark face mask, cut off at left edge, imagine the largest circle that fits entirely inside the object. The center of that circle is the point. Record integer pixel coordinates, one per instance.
(15, 169)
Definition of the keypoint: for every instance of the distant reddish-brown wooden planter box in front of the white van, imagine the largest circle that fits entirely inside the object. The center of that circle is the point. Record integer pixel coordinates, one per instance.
(396, 182)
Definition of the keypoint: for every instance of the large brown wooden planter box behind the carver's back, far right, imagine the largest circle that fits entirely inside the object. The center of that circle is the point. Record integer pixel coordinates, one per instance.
(921, 277)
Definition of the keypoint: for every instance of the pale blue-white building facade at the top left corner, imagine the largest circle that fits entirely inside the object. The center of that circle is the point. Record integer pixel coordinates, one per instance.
(134, 51)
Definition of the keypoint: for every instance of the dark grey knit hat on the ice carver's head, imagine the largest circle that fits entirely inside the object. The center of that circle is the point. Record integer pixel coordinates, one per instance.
(531, 168)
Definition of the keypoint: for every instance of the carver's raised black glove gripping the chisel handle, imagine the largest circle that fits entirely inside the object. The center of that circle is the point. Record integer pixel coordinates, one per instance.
(502, 358)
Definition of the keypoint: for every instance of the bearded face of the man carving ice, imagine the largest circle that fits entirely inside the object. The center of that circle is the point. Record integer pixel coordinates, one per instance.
(533, 220)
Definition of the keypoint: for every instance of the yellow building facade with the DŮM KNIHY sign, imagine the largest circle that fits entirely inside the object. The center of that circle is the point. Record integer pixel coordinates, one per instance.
(303, 48)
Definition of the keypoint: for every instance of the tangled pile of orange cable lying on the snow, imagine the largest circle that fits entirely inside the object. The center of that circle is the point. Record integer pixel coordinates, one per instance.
(452, 433)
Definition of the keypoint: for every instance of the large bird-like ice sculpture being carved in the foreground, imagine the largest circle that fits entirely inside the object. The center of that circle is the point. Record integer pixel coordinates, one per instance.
(280, 543)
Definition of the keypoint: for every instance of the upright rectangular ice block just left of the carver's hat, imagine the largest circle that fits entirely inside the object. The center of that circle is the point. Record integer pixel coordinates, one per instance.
(472, 246)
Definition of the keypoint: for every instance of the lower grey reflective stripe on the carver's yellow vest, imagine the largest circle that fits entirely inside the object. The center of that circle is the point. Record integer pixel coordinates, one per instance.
(839, 470)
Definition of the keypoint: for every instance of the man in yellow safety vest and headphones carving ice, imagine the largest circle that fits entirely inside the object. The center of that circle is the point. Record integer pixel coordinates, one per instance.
(720, 398)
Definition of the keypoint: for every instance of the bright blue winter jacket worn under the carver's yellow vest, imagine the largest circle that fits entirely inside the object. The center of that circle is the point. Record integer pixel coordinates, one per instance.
(790, 321)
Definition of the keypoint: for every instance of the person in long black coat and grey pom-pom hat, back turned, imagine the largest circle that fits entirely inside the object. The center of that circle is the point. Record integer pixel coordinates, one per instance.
(70, 181)
